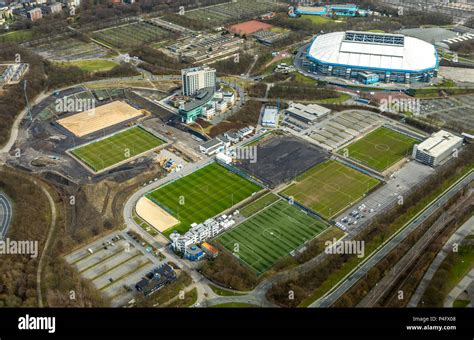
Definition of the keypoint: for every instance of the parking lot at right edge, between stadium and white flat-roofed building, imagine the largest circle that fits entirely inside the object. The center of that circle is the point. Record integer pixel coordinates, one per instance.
(455, 112)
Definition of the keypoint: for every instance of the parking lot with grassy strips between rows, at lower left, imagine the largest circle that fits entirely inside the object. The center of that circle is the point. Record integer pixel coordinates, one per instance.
(114, 264)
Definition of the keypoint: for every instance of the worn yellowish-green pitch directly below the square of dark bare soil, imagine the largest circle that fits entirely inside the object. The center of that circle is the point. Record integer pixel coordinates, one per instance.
(330, 187)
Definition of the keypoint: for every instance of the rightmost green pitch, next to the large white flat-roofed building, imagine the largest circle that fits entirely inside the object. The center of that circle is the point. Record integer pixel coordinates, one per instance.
(381, 148)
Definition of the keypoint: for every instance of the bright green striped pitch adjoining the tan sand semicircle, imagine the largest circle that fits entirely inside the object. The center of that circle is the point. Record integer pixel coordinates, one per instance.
(201, 195)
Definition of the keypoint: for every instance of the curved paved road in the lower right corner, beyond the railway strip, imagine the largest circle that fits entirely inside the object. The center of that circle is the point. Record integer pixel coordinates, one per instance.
(466, 229)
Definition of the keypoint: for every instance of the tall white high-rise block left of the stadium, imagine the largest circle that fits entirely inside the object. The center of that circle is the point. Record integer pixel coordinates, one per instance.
(197, 78)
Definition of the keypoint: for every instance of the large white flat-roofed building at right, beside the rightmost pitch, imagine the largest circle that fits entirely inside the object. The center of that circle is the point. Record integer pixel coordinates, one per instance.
(437, 149)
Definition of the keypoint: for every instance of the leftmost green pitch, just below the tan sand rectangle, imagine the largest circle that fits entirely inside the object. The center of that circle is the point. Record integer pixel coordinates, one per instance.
(121, 146)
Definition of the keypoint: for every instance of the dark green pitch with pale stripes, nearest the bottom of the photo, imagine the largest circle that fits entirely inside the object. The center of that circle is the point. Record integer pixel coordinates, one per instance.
(270, 235)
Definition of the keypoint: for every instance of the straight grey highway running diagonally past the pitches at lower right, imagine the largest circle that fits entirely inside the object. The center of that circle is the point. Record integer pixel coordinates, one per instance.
(362, 269)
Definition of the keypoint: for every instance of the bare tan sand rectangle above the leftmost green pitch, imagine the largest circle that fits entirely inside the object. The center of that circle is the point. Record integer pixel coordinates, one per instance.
(87, 122)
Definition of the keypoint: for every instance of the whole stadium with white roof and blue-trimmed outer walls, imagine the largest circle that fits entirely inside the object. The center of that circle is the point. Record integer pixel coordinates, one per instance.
(373, 57)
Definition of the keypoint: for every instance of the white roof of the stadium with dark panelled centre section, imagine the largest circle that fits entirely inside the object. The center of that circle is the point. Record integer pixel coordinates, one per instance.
(374, 51)
